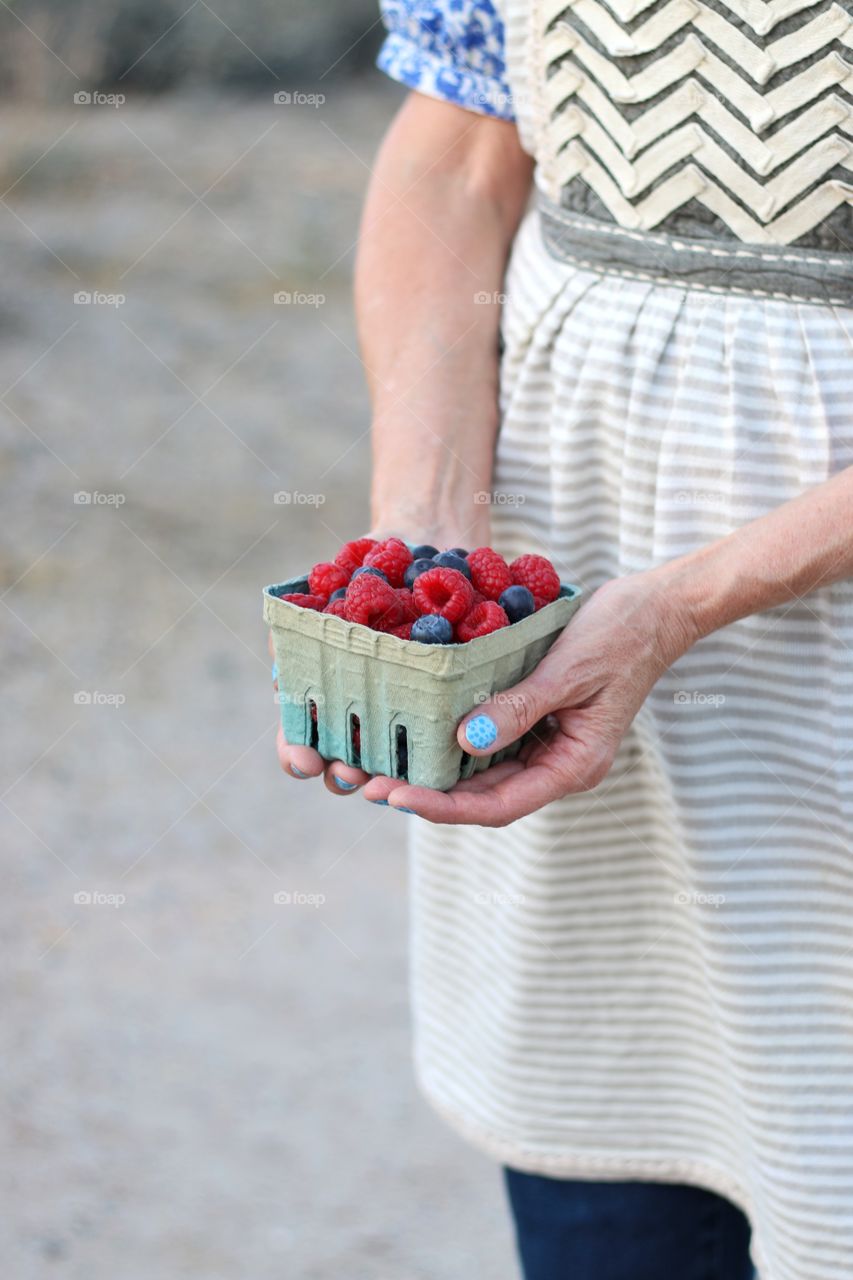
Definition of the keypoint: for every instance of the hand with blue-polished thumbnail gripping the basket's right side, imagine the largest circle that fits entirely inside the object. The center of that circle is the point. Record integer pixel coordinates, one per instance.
(580, 702)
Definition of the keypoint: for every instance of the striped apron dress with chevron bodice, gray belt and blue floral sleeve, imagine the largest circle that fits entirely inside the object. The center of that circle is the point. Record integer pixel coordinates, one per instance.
(655, 980)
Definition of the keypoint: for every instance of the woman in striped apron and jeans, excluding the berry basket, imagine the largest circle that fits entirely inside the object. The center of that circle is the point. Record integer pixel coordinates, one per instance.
(633, 954)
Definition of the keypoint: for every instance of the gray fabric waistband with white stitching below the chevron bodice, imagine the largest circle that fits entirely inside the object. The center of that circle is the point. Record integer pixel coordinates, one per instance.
(773, 271)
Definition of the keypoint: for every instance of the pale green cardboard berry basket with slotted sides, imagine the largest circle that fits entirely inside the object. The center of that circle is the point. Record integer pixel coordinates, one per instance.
(393, 706)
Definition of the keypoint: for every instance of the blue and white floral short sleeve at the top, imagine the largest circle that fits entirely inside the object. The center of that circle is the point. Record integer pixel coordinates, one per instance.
(449, 49)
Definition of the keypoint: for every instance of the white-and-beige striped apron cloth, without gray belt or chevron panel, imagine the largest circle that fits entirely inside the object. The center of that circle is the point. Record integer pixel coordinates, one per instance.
(655, 981)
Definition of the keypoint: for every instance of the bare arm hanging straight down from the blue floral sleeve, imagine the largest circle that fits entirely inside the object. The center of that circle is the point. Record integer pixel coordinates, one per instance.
(445, 202)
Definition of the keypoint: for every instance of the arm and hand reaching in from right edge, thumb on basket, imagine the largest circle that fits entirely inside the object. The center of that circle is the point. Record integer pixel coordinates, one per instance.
(600, 671)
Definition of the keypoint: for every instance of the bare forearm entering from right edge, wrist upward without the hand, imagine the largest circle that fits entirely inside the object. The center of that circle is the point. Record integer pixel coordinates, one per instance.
(804, 545)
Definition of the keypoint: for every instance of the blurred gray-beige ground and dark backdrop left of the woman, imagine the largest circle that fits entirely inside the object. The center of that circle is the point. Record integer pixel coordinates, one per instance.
(200, 1081)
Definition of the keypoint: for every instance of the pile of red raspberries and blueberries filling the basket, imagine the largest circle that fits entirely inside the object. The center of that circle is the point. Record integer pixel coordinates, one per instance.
(428, 596)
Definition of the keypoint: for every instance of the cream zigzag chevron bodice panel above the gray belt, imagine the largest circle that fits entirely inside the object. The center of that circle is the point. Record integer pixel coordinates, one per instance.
(738, 113)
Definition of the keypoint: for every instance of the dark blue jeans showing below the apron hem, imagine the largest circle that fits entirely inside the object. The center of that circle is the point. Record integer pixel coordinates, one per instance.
(573, 1231)
